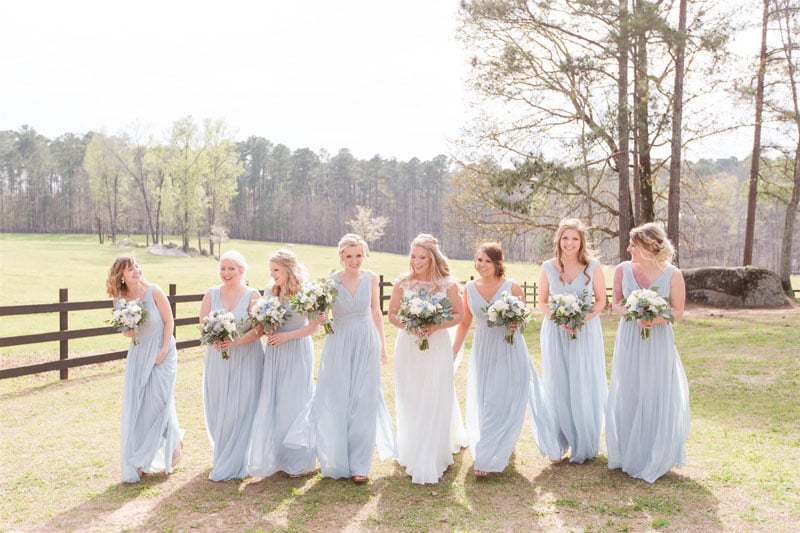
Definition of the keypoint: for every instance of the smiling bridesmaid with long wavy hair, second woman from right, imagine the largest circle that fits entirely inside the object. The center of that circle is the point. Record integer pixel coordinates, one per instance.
(574, 370)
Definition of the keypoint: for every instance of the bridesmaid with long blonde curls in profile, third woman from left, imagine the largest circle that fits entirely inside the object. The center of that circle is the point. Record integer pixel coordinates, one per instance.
(287, 387)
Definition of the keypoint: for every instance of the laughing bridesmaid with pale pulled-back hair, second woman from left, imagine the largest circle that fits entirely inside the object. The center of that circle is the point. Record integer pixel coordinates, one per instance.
(230, 386)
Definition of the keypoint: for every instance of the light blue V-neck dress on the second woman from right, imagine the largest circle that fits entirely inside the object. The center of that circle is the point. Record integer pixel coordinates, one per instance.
(574, 372)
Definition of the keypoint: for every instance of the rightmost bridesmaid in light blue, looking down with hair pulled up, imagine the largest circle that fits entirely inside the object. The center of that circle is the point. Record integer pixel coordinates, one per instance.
(647, 421)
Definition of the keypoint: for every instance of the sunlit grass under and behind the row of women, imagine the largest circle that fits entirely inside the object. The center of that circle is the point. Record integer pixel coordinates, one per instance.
(60, 445)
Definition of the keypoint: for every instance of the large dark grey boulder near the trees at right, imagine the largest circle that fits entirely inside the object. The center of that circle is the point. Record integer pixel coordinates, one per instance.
(734, 287)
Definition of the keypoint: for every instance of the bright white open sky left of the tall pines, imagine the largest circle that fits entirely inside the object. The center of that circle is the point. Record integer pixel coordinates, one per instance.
(372, 76)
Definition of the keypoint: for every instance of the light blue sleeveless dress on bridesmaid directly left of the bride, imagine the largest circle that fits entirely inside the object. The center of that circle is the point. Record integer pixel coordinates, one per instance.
(349, 410)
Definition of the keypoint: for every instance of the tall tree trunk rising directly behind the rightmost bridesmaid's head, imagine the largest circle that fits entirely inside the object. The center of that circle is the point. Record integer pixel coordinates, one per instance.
(674, 201)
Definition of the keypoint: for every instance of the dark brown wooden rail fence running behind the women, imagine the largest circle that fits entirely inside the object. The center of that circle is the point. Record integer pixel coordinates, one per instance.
(64, 307)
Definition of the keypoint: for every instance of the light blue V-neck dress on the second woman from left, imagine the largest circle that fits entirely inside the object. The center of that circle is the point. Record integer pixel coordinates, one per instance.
(230, 390)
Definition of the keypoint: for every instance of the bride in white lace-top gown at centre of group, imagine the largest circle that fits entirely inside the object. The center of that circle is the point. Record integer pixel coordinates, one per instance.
(429, 424)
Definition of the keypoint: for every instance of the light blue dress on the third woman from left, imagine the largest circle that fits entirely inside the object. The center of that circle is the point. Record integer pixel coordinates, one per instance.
(287, 390)
